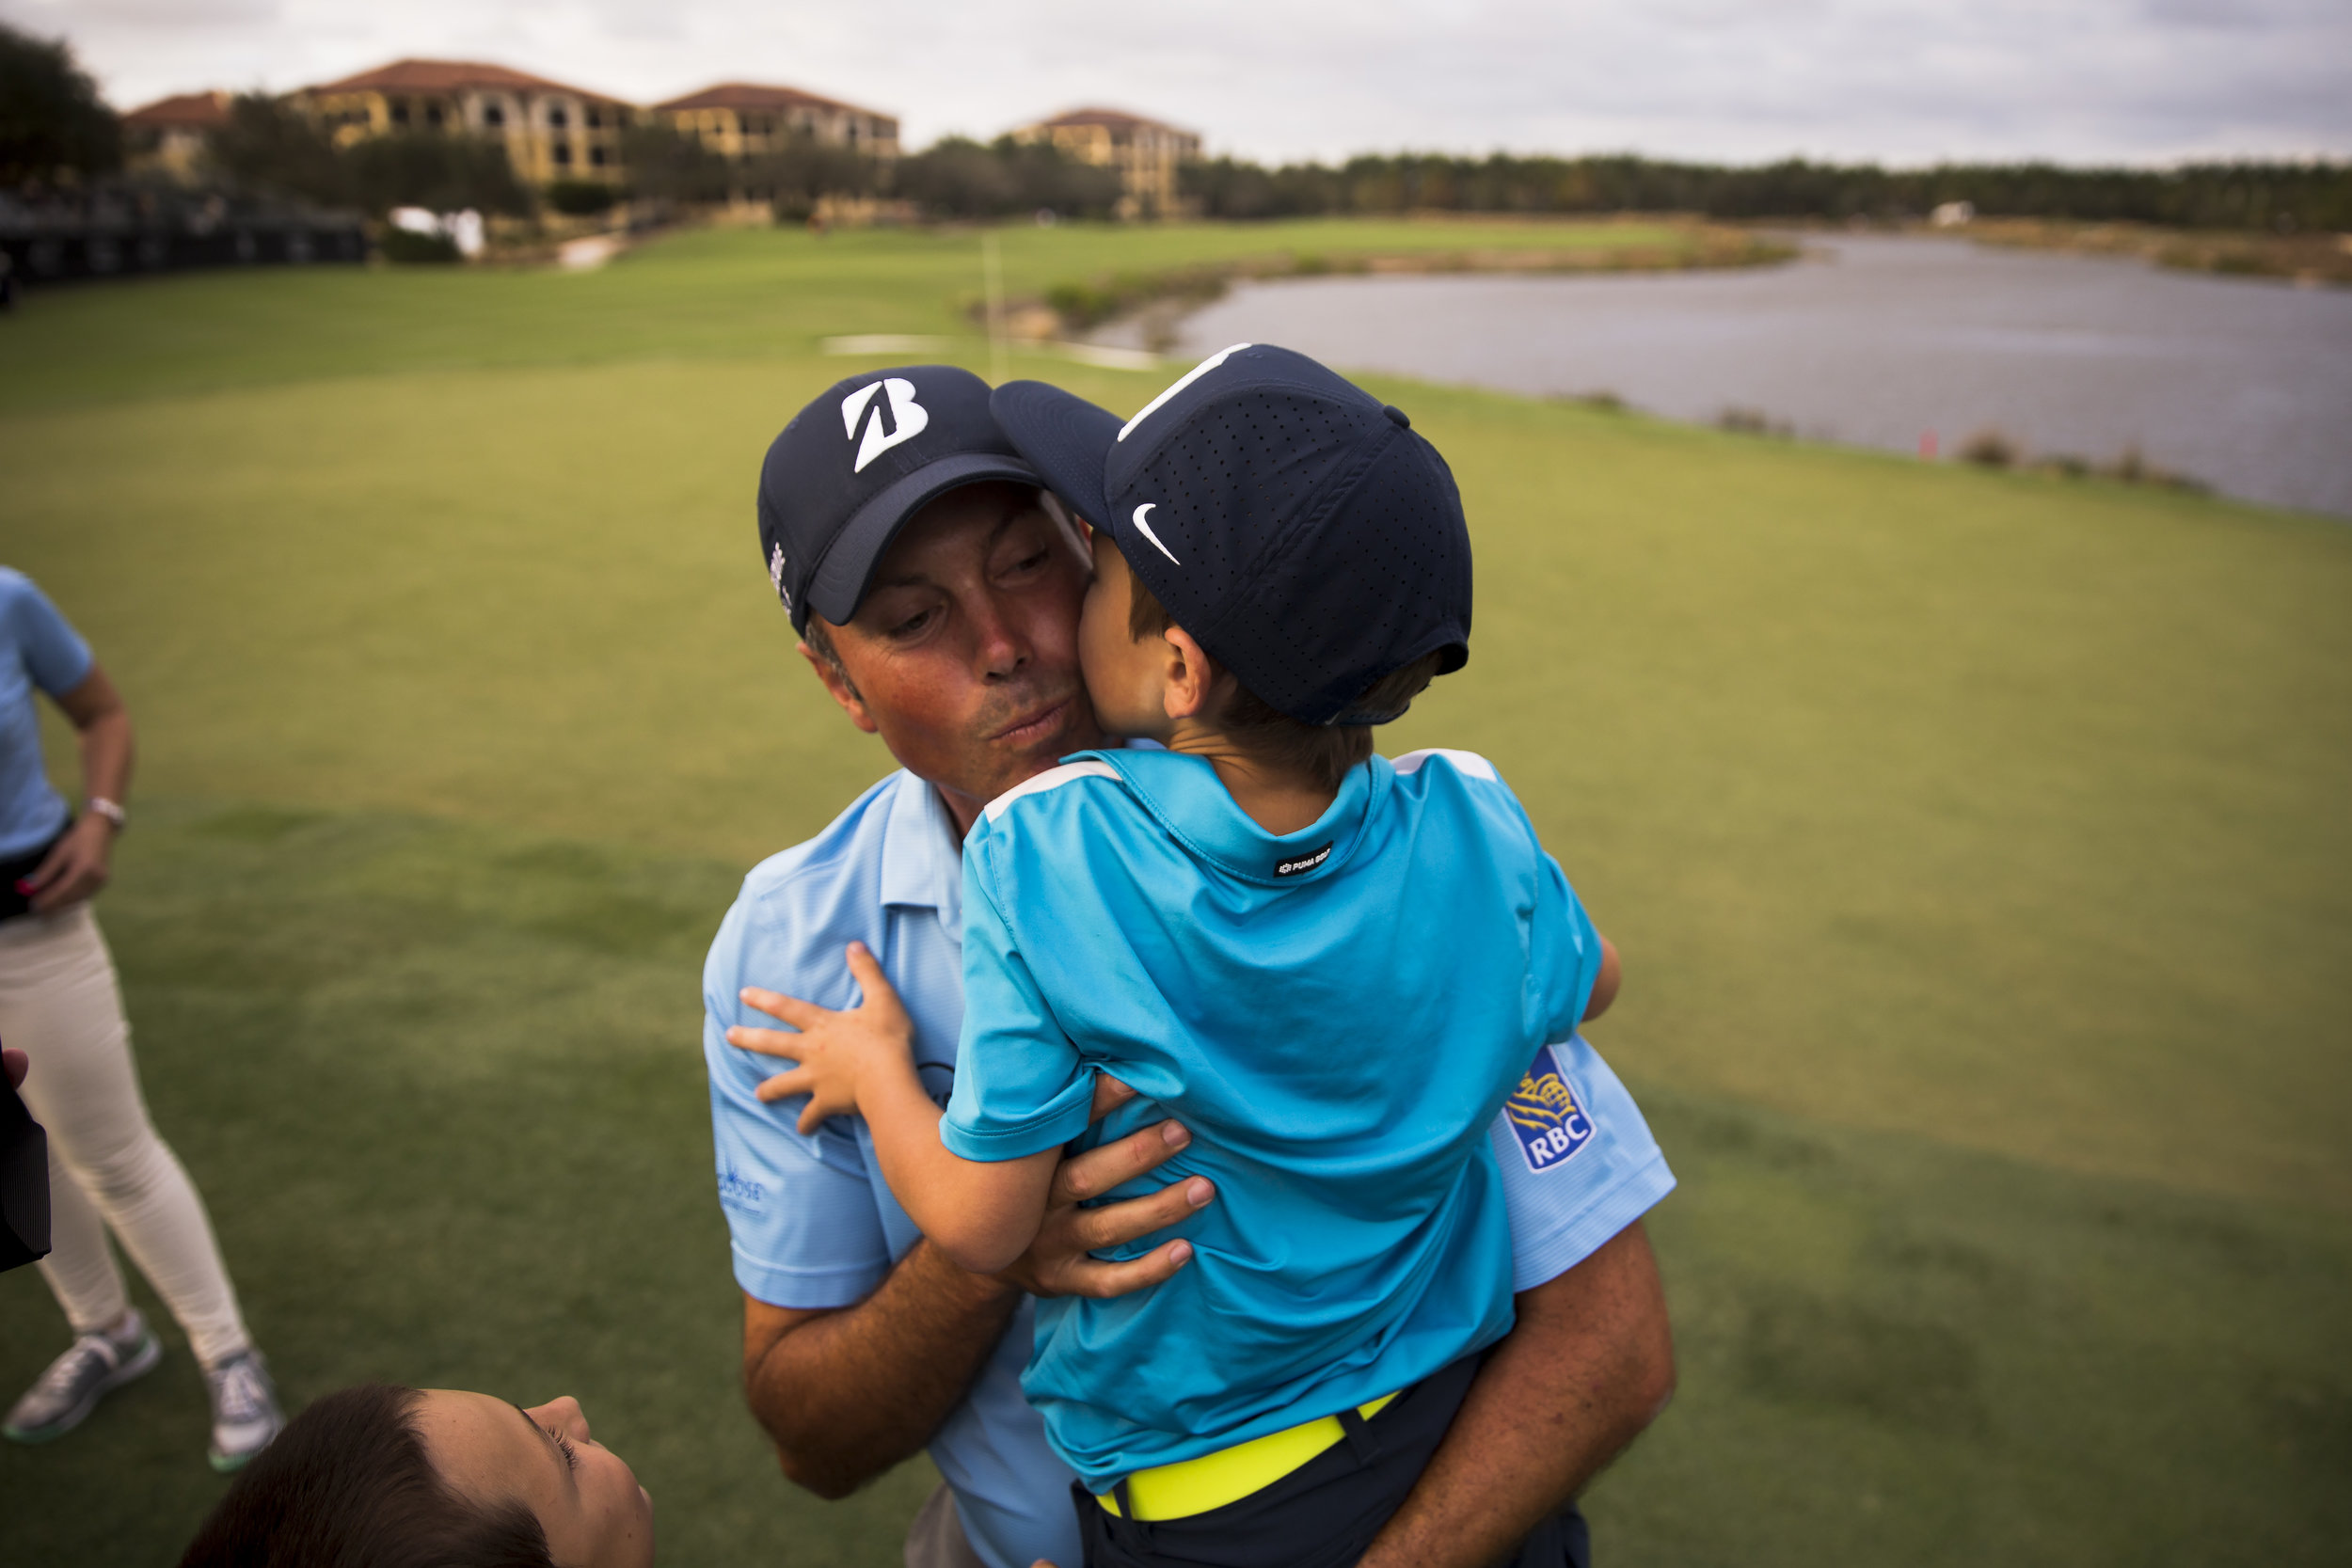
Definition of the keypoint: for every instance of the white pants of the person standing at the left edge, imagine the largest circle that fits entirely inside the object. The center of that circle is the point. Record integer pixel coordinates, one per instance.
(60, 1005)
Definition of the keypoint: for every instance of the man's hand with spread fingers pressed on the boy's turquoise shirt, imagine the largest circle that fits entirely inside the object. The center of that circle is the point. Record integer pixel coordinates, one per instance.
(1057, 1261)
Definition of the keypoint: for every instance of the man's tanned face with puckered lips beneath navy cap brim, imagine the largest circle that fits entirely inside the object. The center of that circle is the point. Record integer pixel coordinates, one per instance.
(965, 652)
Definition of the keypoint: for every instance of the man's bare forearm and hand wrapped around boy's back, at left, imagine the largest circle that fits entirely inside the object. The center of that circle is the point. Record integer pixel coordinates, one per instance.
(855, 1391)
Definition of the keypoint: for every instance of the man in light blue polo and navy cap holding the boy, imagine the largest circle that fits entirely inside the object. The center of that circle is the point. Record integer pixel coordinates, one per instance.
(940, 603)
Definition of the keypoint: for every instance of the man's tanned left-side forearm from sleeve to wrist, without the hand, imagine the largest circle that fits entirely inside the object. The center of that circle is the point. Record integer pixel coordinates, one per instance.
(848, 1395)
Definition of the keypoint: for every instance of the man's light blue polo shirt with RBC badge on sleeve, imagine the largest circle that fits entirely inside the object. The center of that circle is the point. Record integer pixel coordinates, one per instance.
(813, 1224)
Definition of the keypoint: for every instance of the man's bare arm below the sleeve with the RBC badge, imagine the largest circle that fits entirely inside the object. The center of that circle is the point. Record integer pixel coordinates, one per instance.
(1586, 1367)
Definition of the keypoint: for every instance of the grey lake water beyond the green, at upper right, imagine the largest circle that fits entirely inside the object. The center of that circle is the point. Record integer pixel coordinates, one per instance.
(1880, 342)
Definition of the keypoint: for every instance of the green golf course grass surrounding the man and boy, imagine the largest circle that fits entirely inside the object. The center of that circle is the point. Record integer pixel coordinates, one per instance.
(1977, 845)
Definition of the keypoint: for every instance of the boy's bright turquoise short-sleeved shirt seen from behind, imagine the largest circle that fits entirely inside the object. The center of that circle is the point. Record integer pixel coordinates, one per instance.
(1337, 1014)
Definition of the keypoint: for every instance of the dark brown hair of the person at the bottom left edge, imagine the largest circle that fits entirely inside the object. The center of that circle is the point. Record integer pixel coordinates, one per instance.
(352, 1485)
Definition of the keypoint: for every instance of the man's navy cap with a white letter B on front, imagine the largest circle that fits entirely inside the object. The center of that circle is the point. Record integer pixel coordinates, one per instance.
(857, 464)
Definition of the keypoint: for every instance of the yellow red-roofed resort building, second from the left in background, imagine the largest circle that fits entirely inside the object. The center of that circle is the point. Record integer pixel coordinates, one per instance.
(552, 130)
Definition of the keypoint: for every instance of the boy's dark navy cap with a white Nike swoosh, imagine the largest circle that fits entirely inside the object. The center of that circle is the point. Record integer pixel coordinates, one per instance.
(1283, 516)
